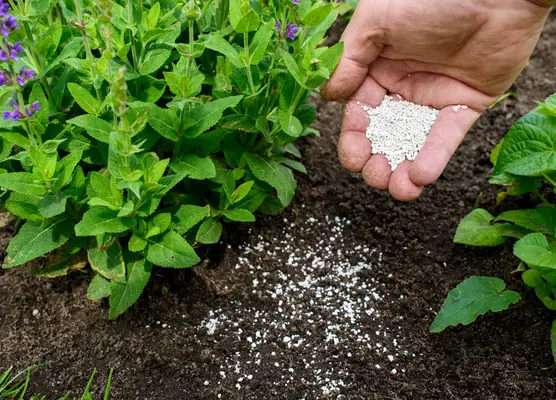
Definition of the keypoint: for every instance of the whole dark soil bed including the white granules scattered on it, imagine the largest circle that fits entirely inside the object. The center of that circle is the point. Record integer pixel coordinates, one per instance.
(301, 332)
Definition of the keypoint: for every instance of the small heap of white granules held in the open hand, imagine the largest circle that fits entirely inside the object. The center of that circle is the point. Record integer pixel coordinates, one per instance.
(398, 129)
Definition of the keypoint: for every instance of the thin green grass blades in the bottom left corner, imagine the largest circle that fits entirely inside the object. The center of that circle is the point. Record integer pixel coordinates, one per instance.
(14, 386)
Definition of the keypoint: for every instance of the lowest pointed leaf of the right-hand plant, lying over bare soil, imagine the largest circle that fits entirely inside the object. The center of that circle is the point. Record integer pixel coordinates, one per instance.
(473, 297)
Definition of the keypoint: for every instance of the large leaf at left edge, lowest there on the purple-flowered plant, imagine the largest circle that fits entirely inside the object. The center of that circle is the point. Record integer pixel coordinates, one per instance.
(33, 240)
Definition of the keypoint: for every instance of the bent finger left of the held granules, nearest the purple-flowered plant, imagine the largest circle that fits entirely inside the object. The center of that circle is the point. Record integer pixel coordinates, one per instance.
(354, 149)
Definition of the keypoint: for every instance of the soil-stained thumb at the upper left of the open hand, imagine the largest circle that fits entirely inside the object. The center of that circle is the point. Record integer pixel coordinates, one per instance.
(363, 41)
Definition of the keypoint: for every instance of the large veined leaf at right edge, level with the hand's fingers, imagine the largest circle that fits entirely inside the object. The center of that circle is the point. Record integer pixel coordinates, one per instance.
(529, 147)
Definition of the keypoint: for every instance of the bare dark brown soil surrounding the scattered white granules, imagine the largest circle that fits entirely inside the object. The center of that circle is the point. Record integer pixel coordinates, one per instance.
(501, 356)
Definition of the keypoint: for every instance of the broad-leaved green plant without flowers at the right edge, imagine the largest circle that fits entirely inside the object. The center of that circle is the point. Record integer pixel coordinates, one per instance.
(523, 162)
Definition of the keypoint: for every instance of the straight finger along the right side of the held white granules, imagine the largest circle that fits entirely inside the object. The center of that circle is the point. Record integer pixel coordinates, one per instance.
(446, 135)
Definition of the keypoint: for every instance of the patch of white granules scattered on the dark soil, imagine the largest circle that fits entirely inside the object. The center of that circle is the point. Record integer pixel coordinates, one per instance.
(313, 326)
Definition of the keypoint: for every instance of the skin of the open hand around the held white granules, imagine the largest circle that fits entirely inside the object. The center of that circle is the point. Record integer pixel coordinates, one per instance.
(438, 53)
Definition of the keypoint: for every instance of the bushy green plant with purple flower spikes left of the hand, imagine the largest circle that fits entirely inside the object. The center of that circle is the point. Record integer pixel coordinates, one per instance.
(133, 130)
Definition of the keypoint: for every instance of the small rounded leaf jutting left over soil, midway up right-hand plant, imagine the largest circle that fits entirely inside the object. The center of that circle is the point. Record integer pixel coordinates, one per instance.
(477, 229)
